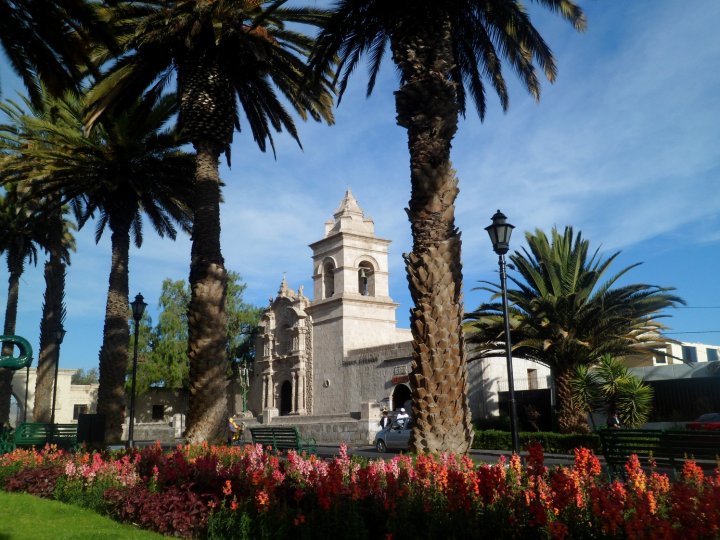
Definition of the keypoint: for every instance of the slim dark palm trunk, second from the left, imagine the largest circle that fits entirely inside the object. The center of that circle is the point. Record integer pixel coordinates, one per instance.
(51, 319)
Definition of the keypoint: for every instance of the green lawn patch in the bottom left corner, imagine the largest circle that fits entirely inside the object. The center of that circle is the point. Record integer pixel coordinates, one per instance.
(26, 517)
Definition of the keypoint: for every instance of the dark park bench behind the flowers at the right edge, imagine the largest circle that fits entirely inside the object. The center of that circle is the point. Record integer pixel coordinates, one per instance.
(669, 449)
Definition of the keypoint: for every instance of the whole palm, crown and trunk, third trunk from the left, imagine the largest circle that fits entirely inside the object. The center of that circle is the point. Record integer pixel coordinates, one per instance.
(127, 166)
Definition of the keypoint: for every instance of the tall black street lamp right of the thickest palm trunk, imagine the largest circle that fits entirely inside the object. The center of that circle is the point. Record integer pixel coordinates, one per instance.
(500, 232)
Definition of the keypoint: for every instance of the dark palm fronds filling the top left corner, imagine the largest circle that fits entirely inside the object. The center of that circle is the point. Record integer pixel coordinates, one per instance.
(49, 41)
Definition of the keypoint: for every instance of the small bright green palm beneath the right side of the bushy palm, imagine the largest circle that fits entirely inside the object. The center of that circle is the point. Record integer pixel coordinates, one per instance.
(608, 386)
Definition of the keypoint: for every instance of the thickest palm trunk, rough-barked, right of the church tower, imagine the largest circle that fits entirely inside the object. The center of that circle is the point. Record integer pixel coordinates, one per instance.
(427, 107)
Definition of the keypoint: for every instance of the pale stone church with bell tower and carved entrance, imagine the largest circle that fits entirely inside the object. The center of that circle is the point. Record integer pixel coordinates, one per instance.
(339, 353)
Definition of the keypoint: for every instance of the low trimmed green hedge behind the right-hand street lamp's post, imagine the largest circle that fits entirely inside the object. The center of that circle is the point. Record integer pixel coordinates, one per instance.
(552, 443)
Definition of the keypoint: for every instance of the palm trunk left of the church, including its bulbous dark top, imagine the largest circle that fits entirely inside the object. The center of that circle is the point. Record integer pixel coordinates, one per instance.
(206, 96)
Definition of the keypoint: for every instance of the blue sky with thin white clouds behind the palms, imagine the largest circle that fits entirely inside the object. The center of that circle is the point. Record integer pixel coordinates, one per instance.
(623, 147)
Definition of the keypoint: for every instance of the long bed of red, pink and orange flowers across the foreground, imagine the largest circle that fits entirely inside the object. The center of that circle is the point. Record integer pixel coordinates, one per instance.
(221, 492)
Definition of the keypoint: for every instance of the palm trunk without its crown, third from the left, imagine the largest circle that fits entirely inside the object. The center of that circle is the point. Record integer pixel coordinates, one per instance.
(116, 335)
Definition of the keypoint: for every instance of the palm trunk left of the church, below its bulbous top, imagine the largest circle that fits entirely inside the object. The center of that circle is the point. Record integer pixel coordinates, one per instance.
(207, 319)
